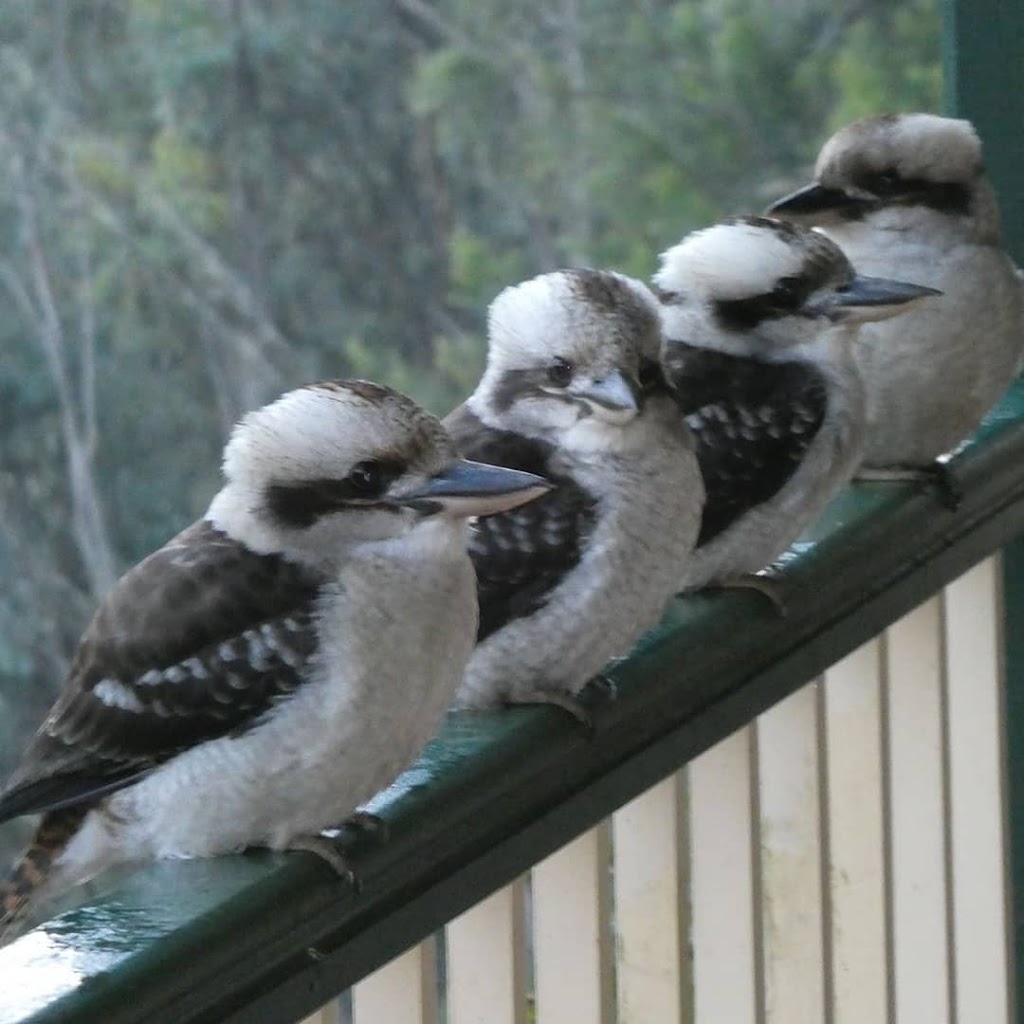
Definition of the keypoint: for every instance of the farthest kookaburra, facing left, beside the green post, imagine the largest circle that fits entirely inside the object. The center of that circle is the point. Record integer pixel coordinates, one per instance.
(907, 196)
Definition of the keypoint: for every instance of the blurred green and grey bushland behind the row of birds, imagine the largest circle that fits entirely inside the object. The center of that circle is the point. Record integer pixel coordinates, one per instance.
(206, 202)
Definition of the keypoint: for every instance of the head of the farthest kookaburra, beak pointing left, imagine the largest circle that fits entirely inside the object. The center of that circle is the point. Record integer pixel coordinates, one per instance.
(897, 172)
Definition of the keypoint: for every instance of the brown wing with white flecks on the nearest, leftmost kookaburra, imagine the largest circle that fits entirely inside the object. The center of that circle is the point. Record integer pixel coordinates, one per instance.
(195, 643)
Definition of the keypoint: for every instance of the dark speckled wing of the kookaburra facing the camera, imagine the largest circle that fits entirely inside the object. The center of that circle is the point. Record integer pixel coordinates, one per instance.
(521, 557)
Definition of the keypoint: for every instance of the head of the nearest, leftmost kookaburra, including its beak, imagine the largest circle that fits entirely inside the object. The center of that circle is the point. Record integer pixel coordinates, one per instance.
(339, 463)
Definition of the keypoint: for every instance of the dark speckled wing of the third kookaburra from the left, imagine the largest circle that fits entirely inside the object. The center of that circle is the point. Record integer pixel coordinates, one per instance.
(754, 422)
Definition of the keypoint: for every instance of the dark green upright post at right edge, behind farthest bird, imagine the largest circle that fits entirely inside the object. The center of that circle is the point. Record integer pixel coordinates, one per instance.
(985, 77)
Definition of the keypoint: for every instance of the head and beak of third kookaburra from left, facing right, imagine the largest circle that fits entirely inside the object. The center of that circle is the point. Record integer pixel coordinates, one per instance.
(759, 287)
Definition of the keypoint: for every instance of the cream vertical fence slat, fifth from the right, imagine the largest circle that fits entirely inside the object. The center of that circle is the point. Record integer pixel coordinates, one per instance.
(722, 883)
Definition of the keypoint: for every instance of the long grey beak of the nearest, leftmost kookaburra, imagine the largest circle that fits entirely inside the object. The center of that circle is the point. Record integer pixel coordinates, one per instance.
(466, 489)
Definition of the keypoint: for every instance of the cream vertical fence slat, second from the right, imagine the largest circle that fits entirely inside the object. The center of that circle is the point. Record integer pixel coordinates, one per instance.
(917, 805)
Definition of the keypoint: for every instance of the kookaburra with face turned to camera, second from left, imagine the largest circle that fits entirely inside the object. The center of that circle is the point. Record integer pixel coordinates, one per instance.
(573, 581)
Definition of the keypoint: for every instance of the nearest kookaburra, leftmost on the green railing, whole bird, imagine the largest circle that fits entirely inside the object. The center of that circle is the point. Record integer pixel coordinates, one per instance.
(277, 663)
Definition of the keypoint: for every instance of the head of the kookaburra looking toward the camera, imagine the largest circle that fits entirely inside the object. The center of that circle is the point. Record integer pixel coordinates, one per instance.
(569, 349)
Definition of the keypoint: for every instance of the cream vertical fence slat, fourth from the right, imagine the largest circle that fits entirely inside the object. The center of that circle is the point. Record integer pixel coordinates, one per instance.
(791, 861)
